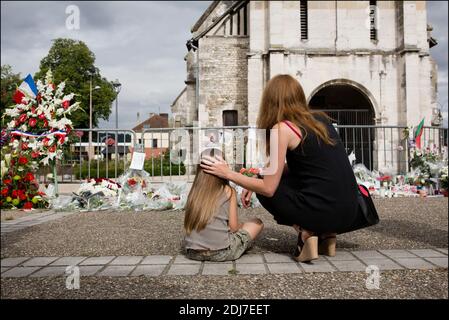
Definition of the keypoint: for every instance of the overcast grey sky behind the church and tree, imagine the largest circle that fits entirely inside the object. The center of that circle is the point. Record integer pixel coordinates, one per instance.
(140, 43)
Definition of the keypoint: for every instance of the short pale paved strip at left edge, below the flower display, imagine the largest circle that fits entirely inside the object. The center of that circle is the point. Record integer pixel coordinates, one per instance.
(32, 220)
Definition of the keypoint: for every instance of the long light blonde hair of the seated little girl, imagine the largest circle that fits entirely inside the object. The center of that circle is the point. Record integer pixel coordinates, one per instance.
(202, 201)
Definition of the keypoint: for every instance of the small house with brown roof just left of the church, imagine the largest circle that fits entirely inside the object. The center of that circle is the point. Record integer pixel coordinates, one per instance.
(154, 143)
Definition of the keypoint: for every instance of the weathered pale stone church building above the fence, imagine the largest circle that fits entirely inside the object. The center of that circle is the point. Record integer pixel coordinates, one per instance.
(363, 62)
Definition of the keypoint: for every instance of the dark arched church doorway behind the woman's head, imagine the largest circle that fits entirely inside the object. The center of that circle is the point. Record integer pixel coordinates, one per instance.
(350, 106)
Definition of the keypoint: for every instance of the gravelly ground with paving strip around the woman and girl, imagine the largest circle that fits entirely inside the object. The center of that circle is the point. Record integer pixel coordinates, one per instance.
(125, 255)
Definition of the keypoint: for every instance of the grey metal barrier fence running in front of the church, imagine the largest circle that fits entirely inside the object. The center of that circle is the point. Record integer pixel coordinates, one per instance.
(170, 152)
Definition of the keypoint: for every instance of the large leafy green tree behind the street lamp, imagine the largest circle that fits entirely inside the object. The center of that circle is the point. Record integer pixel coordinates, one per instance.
(72, 61)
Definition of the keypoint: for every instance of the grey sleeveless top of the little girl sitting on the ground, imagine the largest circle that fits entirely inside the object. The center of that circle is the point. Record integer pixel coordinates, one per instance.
(215, 235)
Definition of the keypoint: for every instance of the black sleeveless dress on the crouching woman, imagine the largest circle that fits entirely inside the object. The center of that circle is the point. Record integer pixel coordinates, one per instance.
(319, 193)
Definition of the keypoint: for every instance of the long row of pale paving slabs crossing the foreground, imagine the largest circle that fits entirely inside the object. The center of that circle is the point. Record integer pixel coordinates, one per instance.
(266, 263)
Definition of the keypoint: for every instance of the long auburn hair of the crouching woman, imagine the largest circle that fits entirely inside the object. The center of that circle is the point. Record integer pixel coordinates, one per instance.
(283, 99)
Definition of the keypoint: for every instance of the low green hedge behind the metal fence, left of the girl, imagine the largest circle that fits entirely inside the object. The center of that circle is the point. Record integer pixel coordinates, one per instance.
(148, 166)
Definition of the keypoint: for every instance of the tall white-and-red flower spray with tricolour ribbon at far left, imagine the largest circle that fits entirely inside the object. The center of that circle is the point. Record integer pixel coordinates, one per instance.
(38, 122)
